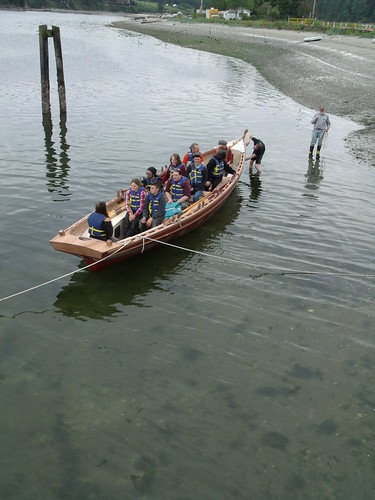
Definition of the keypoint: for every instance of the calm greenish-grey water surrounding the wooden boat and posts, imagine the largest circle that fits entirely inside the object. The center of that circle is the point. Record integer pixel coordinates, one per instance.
(177, 375)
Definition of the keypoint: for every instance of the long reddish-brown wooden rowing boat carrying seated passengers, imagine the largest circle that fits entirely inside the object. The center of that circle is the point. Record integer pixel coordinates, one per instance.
(99, 254)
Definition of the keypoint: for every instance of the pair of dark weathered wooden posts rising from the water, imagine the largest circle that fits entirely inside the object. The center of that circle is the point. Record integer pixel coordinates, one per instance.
(44, 34)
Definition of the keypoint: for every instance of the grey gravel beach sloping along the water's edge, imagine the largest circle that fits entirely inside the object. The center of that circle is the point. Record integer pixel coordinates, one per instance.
(338, 71)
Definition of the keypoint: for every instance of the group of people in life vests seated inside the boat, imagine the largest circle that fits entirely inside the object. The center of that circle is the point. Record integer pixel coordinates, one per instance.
(178, 184)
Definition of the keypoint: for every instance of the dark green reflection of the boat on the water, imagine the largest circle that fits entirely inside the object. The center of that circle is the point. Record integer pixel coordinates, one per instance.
(101, 295)
